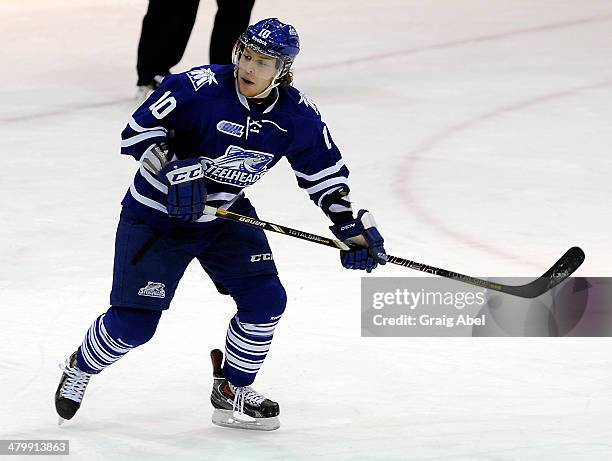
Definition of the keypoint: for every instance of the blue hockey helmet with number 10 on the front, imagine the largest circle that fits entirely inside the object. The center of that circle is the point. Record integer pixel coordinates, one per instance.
(272, 38)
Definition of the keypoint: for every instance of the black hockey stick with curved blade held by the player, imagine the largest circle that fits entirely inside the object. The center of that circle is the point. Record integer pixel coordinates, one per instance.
(562, 269)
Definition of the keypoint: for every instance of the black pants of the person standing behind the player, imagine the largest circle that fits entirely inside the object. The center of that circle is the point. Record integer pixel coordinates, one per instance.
(167, 26)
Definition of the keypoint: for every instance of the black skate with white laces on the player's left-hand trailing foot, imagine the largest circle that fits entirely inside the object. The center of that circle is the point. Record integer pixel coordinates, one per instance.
(71, 389)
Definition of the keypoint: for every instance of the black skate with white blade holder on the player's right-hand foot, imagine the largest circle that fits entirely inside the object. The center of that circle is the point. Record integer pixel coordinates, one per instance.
(240, 407)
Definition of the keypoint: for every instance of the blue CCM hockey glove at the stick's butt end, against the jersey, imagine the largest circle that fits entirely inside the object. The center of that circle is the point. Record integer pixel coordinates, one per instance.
(186, 189)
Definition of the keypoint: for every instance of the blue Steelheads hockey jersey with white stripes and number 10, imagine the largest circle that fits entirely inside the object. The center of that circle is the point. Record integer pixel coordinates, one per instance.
(200, 113)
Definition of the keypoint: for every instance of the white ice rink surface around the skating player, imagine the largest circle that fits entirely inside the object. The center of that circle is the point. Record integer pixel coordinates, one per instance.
(477, 132)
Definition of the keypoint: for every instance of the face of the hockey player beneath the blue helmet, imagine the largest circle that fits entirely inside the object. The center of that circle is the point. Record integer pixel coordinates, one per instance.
(255, 73)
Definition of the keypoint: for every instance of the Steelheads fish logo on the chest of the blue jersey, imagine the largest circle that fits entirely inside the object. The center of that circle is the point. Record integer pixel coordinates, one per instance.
(237, 167)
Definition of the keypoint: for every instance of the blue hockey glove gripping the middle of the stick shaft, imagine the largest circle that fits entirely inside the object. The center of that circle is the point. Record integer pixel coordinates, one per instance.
(367, 245)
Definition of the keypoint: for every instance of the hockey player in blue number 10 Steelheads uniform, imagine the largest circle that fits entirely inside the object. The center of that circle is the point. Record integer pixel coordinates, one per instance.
(202, 137)
